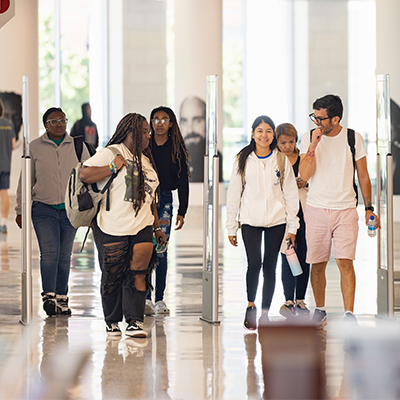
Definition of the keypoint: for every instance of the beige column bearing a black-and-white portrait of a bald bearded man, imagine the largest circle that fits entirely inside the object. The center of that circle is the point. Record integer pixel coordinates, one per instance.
(198, 53)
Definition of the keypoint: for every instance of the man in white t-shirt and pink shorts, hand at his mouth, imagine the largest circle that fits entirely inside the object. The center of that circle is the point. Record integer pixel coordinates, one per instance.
(327, 164)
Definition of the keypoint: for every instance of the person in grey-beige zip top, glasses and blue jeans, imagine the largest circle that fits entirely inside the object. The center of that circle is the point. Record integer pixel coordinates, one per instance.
(53, 156)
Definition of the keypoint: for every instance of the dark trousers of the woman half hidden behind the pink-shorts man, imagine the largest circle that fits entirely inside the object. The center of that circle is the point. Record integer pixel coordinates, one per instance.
(295, 287)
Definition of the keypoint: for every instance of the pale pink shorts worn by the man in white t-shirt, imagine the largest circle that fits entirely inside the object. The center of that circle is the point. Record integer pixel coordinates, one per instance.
(323, 225)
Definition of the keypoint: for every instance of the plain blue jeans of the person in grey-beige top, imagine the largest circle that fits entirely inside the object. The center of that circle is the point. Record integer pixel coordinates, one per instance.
(55, 236)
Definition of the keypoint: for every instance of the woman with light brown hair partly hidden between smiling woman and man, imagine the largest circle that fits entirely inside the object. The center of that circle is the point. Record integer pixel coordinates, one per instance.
(294, 287)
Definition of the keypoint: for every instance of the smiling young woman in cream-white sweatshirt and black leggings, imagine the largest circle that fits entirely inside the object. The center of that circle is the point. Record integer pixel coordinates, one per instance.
(262, 199)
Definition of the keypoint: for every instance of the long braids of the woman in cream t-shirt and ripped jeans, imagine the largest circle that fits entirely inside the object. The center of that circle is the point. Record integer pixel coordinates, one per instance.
(134, 123)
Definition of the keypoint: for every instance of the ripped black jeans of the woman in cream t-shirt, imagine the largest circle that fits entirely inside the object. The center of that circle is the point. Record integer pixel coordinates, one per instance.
(119, 296)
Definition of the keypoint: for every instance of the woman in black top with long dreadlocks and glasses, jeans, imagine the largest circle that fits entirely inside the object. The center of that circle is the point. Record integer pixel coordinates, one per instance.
(171, 157)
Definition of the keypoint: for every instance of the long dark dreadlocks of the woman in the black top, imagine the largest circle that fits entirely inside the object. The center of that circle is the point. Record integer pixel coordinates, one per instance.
(178, 144)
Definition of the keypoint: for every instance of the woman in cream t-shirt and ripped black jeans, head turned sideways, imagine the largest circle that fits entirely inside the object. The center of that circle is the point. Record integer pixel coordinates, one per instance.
(124, 233)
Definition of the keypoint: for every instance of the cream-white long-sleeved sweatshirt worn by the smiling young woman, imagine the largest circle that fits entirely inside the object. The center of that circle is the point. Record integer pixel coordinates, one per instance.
(263, 203)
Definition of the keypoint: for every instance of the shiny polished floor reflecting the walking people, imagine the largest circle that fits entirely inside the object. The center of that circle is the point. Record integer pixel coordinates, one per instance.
(185, 357)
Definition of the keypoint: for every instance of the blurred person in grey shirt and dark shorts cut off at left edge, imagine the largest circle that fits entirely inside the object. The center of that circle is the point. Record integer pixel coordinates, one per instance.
(7, 145)
